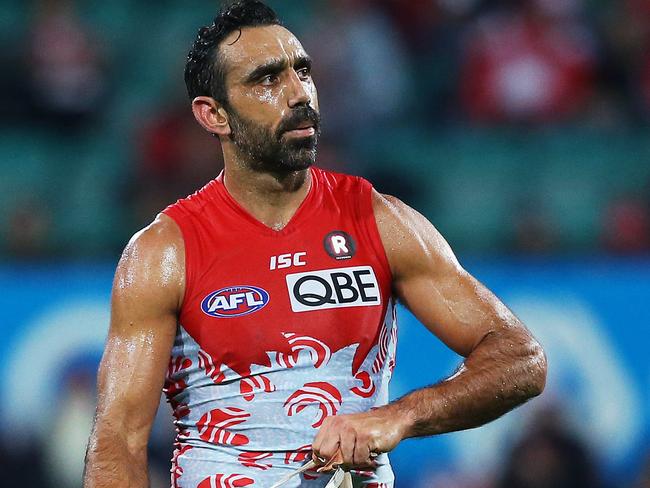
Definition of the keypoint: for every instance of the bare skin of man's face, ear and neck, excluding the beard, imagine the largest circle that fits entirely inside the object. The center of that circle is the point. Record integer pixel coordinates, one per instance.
(270, 197)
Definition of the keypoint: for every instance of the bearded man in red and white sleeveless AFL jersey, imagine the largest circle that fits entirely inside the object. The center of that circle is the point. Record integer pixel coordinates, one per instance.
(273, 290)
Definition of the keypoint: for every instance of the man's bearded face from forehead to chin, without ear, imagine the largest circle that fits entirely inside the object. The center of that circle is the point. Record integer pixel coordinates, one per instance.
(272, 100)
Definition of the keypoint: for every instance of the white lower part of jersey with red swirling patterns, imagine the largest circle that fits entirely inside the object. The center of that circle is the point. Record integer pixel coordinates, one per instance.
(284, 395)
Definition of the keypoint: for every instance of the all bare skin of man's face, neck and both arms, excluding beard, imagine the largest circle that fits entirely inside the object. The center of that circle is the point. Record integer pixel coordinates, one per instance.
(504, 365)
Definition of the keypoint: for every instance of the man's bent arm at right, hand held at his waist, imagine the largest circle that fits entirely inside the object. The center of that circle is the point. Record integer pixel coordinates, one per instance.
(504, 365)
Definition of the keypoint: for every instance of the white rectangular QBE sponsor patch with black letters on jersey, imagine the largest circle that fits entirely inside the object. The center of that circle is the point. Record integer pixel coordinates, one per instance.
(333, 288)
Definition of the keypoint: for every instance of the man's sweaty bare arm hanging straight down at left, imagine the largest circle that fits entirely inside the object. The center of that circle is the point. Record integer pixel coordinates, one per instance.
(147, 294)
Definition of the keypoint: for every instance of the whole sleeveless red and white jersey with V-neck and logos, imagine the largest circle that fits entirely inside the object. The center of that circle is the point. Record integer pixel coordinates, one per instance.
(278, 331)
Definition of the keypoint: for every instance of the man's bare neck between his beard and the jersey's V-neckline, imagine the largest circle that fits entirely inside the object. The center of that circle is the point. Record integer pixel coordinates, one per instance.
(272, 197)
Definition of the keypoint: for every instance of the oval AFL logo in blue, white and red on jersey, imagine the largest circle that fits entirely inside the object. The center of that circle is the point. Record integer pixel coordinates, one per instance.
(235, 301)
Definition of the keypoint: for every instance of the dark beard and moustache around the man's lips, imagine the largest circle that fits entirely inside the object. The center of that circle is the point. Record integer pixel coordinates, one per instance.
(268, 150)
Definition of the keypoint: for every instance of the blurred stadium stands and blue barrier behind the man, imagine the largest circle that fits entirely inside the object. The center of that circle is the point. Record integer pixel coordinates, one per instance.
(520, 128)
